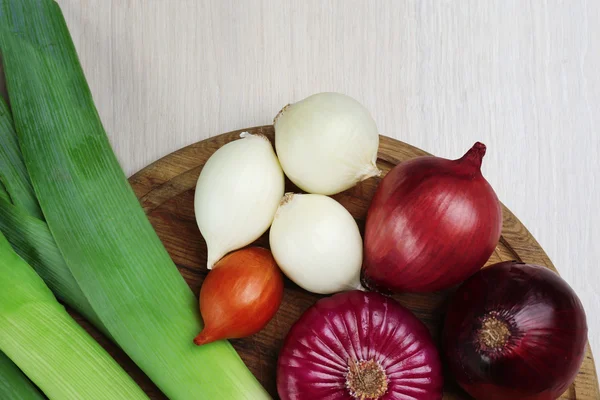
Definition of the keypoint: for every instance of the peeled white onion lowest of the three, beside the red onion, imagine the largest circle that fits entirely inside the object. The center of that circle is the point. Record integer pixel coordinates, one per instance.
(317, 244)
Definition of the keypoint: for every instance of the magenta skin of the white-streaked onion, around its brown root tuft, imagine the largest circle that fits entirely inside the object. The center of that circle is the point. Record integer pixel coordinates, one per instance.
(314, 361)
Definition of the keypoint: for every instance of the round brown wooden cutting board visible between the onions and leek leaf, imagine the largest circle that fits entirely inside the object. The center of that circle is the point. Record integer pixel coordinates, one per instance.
(166, 191)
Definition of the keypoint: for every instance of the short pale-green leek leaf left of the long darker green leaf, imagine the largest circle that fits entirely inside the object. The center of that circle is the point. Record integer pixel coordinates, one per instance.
(38, 335)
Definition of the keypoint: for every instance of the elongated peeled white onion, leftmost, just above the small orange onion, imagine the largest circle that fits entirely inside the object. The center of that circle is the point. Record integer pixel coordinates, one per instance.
(237, 195)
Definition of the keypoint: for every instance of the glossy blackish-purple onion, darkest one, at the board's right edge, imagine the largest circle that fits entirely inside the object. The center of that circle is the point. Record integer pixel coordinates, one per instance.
(547, 327)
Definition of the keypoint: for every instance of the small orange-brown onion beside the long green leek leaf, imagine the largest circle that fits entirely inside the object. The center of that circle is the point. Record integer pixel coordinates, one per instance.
(240, 295)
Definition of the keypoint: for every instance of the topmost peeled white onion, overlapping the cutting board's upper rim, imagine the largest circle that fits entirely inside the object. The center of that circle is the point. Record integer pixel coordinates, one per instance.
(327, 143)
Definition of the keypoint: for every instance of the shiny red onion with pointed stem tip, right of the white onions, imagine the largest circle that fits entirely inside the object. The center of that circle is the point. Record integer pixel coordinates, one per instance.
(432, 223)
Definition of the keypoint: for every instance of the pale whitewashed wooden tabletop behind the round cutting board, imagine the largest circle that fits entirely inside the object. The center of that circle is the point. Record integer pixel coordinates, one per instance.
(523, 77)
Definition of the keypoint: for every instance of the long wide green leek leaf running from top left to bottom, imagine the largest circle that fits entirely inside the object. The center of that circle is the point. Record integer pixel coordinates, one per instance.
(107, 242)
